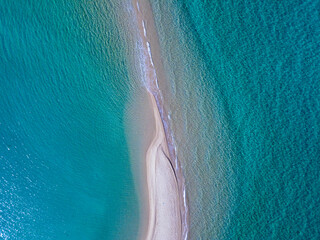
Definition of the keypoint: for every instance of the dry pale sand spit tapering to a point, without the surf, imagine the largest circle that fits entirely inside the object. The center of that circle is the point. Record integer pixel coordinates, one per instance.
(164, 210)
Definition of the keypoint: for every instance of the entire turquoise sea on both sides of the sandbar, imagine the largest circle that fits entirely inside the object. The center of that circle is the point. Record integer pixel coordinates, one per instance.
(243, 100)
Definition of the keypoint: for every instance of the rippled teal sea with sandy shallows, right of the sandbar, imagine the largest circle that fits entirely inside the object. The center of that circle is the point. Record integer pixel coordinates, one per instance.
(245, 107)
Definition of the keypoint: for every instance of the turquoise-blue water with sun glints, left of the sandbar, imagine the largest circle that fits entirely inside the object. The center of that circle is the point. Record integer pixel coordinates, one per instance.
(64, 162)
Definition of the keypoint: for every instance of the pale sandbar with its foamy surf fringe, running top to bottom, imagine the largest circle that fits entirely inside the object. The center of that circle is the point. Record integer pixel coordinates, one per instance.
(167, 209)
